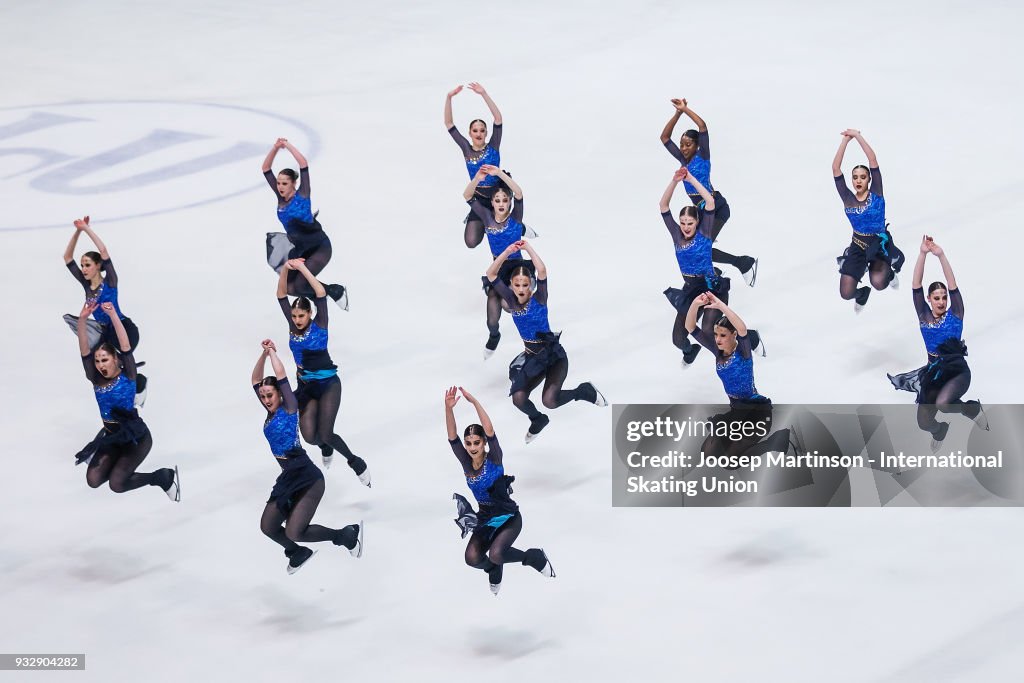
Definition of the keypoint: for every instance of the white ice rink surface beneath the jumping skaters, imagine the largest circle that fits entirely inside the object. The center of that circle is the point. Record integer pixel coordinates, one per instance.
(154, 118)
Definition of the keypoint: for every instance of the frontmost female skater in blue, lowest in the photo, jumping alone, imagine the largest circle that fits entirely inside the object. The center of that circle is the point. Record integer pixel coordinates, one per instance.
(498, 523)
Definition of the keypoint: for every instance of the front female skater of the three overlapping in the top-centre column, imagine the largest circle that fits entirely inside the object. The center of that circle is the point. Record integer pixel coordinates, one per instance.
(544, 359)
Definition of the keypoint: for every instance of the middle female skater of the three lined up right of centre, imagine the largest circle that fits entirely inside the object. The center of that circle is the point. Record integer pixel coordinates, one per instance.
(693, 237)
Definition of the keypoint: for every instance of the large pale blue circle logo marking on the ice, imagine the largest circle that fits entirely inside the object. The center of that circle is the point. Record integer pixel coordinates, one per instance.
(119, 160)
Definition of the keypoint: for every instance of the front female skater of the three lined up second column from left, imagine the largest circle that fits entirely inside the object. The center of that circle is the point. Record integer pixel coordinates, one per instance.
(300, 488)
